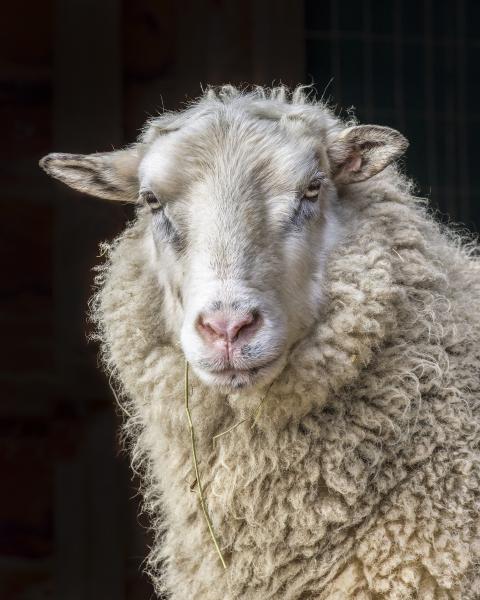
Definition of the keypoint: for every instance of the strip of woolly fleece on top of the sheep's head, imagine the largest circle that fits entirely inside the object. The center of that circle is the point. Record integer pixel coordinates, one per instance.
(293, 110)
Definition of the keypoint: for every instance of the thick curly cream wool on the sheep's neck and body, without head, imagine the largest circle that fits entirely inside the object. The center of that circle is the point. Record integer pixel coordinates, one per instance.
(361, 476)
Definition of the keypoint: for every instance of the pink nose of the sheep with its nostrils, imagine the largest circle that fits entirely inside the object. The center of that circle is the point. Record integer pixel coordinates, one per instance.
(220, 326)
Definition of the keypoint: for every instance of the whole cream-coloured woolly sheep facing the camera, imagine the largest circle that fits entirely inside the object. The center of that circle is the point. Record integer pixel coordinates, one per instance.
(331, 328)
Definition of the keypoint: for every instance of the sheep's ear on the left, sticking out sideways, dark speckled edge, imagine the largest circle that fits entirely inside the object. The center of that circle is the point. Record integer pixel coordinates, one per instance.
(109, 175)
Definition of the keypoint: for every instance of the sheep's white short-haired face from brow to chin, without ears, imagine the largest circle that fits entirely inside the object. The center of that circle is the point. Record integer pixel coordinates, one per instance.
(241, 218)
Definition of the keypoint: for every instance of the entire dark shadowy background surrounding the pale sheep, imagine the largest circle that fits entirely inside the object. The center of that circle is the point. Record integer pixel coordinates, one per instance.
(81, 76)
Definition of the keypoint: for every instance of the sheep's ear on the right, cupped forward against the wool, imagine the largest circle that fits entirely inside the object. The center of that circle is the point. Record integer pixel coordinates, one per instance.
(360, 152)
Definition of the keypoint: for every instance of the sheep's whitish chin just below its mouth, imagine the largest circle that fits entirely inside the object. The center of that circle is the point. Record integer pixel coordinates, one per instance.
(236, 380)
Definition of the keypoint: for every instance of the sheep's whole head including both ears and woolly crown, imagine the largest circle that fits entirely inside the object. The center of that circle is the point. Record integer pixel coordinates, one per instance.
(240, 191)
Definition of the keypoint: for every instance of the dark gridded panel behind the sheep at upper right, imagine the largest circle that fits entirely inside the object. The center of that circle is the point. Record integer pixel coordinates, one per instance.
(412, 65)
